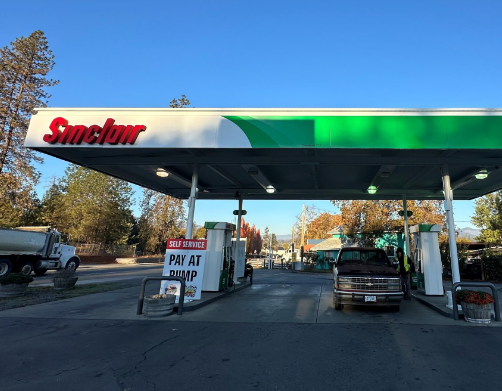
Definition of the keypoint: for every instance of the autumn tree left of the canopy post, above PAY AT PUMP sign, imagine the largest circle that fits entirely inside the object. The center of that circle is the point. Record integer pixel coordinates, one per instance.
(162, 217)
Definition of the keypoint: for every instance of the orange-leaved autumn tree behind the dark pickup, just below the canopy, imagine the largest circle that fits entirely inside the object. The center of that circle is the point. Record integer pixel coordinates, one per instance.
(366, 221)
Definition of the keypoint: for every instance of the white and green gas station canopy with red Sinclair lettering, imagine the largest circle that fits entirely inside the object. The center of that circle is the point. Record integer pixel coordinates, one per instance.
(281, 154)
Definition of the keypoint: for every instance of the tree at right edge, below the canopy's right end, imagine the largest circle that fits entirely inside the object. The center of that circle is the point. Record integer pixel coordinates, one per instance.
(488, 216)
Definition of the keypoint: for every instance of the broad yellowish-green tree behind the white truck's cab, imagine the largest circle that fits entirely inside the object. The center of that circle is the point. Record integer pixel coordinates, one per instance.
(90, 207)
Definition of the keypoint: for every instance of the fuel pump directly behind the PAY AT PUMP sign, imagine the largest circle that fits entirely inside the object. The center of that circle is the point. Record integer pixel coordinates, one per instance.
(219, 265)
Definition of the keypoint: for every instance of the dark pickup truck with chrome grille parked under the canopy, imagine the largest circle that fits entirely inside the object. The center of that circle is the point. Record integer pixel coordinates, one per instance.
(365, 276)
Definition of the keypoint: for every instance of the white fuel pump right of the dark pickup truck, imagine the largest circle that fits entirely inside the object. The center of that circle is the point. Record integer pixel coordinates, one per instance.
(427, 259)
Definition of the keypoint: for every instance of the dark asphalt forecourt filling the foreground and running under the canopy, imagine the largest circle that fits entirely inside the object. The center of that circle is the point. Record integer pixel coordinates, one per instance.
(295, 342)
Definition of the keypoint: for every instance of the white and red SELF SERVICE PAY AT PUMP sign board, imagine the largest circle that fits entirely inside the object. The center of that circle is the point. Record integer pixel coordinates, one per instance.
(184, 258)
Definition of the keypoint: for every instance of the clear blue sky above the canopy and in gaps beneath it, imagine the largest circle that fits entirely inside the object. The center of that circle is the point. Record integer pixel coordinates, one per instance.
(423, 54)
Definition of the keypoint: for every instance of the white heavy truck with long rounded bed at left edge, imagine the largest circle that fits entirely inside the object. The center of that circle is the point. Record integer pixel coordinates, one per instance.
(34, 249)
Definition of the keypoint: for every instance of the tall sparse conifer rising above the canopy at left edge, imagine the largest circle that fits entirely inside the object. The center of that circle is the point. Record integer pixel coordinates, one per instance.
(24, 66)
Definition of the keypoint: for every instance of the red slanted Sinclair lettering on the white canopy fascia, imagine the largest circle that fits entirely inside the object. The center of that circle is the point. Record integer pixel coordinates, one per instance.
(109, 133)
